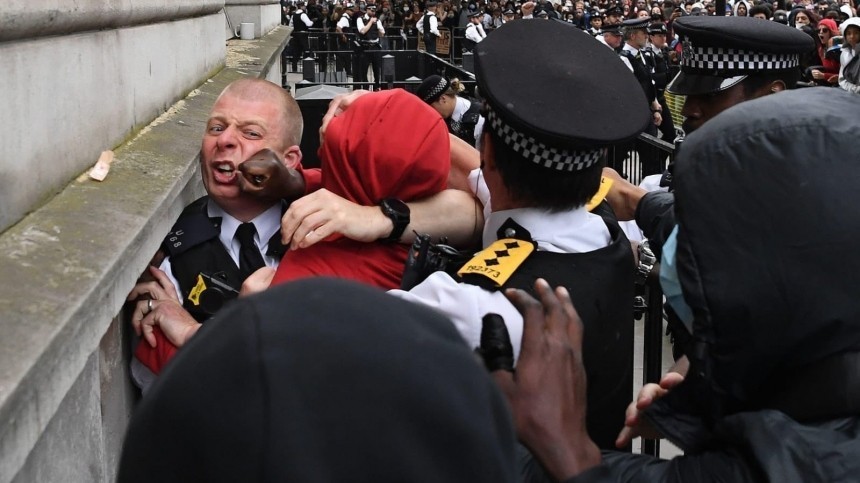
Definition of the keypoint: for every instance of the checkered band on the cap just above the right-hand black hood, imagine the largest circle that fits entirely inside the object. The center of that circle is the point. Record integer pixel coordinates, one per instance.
(717, 58)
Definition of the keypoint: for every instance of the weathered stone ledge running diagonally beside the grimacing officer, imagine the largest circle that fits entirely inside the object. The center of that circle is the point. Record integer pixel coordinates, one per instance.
(67, 267)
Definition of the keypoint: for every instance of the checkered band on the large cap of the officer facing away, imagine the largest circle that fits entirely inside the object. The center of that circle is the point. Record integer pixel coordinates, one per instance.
(539, 153)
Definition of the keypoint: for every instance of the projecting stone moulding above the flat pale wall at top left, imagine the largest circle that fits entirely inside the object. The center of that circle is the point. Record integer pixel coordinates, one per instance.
(42, 18)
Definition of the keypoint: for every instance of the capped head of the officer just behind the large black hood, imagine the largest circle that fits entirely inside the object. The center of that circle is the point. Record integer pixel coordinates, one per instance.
(727, 60)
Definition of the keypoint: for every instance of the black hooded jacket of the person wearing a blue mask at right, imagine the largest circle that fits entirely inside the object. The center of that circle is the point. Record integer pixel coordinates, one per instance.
(768, 262)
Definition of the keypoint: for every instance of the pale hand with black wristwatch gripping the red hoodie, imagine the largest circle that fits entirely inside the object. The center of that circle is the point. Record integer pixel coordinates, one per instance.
(324, 215)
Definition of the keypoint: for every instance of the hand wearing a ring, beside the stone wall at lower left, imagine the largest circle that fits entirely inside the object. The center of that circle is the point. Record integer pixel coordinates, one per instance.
(173, 320)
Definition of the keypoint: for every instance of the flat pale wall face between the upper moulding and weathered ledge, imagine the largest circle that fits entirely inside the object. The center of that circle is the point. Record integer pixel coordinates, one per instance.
(69, 97)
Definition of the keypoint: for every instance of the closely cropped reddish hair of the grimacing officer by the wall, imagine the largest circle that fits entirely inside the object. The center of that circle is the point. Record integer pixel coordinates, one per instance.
(259, 90)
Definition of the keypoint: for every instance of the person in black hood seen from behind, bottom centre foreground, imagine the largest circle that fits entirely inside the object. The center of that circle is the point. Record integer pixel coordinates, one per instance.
(322, 380)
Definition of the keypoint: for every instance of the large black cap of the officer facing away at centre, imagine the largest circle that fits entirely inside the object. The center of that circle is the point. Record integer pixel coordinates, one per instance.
(557, 107)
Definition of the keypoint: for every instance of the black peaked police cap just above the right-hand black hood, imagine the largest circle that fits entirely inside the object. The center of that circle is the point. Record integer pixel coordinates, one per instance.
(720, 52)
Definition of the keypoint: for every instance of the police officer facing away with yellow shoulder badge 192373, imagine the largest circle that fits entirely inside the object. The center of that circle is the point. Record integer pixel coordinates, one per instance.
(551, 115)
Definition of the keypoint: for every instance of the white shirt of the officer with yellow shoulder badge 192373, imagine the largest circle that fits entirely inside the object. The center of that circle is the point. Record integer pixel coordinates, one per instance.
(568, 232)
